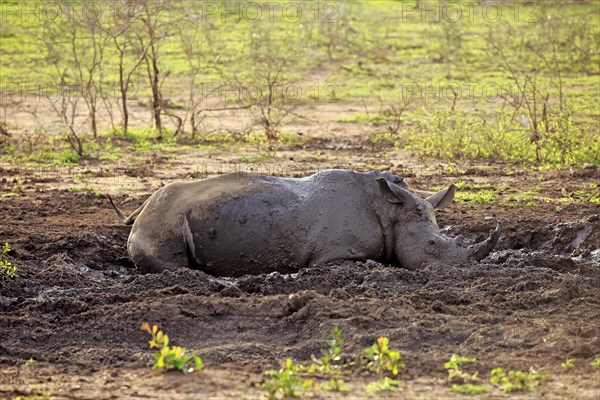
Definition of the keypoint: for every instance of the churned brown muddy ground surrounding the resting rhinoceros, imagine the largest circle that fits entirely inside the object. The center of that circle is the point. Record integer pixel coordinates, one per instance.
(78, 302)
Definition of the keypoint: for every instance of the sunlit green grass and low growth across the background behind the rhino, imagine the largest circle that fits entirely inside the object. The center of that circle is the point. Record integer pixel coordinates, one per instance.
(376, 53)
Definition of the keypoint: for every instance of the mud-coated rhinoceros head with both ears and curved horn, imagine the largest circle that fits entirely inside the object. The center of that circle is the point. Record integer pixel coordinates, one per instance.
(417, 238)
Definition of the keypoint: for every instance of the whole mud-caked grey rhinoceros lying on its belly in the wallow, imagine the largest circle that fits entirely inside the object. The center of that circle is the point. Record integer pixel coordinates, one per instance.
(240, 223)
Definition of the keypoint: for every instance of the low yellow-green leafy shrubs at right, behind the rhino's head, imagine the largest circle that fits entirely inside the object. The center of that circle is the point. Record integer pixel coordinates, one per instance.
(451, 134)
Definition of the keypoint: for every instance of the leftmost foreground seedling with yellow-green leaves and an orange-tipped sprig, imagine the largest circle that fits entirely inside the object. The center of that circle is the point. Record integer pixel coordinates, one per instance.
(168, 357)
